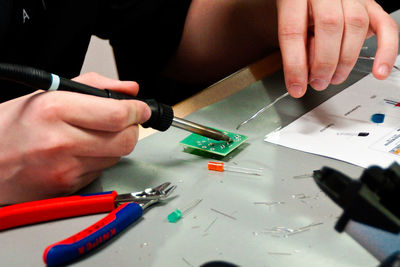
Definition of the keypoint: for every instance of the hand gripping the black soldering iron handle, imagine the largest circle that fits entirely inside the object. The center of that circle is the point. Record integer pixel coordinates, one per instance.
(54, 143)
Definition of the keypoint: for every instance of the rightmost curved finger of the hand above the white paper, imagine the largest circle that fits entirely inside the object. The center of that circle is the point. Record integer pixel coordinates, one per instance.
(387, 34)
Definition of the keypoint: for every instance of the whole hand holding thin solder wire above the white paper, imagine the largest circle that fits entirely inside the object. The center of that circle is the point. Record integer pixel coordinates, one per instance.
(328, 52)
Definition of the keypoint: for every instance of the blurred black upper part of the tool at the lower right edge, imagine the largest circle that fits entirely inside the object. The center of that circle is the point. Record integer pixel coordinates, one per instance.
(373, 199)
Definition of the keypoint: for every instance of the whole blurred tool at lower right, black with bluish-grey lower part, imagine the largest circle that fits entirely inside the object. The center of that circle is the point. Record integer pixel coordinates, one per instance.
(371, 210)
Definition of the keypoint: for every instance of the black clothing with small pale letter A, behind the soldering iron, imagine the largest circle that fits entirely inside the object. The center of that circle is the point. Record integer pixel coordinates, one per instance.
(54, 35)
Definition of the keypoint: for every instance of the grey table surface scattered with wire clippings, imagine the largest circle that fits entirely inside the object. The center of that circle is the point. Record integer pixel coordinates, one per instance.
(204, 235)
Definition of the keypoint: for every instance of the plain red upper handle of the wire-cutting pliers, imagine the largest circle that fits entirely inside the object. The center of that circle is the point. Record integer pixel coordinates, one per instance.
(56, 208)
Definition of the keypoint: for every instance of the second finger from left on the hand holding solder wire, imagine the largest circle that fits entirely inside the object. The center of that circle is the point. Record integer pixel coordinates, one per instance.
(328, 38)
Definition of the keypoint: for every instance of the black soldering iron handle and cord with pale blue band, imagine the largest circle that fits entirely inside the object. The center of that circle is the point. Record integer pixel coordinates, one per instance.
(161, 114)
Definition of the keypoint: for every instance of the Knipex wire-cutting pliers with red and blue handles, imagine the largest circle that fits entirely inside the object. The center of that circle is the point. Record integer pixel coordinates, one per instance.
(125, 209)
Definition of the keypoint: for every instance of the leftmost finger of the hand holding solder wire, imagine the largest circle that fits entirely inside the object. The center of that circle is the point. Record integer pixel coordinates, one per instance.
(292, 33)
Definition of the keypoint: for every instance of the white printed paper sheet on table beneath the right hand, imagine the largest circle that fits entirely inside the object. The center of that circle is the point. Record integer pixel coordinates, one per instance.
(341, 127)
